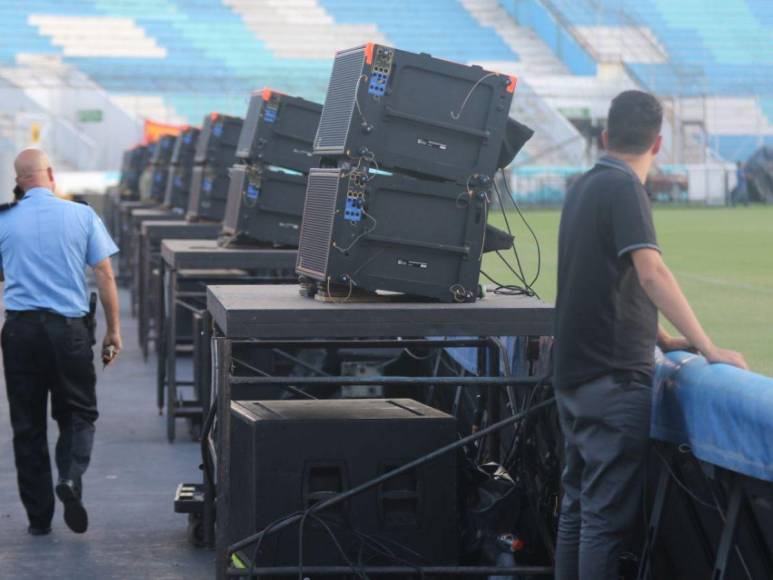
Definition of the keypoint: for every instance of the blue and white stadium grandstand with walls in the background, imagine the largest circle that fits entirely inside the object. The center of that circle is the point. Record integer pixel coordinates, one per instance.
(80, 76)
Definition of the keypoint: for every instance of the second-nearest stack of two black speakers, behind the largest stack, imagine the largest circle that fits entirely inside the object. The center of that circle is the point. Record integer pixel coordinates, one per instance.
(268, 184)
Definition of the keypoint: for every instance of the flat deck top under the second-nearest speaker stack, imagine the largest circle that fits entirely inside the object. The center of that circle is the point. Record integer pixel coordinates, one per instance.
(206, 254)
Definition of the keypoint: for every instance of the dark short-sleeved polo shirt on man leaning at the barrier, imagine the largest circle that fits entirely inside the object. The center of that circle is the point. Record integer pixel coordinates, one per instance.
(604, 321)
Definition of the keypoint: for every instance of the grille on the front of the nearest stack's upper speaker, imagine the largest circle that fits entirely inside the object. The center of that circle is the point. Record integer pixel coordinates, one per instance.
(340, 101)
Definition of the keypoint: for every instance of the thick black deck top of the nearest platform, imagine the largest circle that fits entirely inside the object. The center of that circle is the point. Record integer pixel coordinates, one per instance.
(280, 312)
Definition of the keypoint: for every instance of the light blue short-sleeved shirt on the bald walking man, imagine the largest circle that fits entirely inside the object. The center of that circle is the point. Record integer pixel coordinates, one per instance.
(45, 245)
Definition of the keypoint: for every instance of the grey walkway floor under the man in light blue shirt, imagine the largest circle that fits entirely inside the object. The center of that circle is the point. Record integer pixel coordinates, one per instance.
(129, 488)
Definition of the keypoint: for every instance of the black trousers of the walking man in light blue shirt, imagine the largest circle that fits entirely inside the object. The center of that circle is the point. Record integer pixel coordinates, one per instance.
(45, 352)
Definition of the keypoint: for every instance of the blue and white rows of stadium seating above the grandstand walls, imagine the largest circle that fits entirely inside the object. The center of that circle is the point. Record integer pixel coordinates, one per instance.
(196, 56)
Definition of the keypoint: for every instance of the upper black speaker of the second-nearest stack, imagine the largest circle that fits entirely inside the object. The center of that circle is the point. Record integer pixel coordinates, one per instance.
(279, 130)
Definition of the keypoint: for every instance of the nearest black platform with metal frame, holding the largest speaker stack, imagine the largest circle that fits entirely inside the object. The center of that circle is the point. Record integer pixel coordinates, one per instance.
(255, 318)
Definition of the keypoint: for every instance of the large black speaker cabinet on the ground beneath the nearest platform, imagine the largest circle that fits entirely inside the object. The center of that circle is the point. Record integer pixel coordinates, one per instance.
(288, 455)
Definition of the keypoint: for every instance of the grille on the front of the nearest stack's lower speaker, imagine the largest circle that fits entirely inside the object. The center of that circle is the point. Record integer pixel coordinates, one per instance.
(317, 224)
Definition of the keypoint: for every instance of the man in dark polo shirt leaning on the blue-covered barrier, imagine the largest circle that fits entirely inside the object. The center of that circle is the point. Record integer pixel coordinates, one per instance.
(611, 284)
